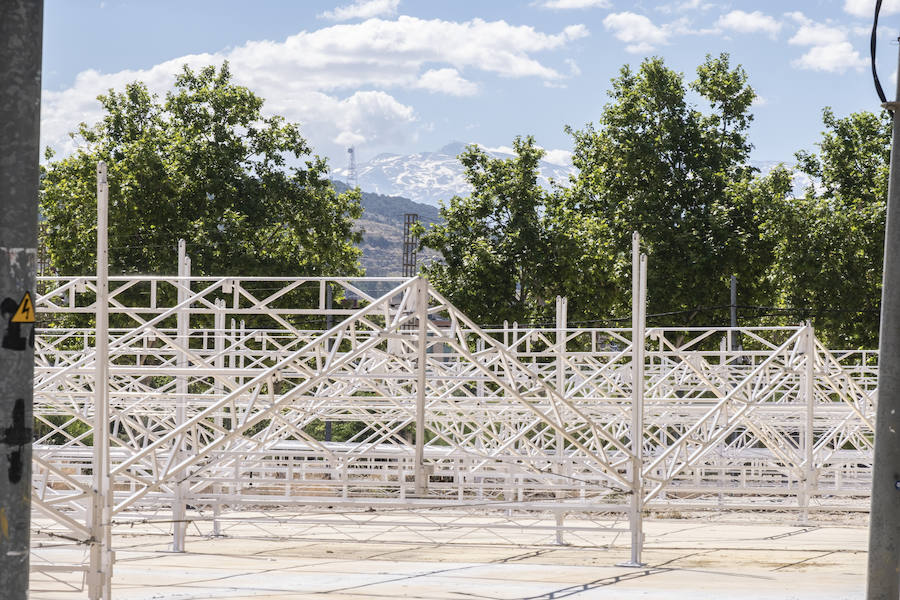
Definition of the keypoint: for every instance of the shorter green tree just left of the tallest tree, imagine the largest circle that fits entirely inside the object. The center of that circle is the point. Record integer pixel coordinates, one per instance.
(510, 246)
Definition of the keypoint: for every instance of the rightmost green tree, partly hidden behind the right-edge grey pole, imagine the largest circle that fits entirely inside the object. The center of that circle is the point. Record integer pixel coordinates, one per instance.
(830, 243)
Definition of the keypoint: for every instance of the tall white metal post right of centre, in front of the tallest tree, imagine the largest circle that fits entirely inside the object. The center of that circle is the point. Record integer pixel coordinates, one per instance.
(638, 314)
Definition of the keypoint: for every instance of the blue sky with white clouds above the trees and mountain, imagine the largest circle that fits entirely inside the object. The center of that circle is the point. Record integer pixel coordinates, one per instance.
(412, 75)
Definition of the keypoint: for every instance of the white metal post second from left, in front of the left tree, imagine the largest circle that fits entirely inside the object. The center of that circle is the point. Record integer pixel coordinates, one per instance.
(179, 526)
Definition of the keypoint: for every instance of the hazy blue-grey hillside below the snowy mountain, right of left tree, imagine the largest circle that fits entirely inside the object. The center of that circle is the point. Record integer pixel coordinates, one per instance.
(382, 225)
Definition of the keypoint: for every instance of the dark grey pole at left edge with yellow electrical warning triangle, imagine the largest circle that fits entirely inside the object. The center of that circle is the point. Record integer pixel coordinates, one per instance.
(21, 33)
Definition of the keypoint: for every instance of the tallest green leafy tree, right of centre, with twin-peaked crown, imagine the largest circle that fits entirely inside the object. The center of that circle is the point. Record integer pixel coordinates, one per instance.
(679, 174)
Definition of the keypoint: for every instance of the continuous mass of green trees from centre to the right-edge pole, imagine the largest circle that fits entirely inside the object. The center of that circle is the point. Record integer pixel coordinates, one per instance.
(679, 173)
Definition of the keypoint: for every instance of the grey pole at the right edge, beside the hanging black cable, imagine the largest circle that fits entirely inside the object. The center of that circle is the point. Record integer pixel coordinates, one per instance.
(884, 520)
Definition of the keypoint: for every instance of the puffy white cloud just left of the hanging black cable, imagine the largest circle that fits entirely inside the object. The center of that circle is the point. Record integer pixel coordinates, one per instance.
(830, 49)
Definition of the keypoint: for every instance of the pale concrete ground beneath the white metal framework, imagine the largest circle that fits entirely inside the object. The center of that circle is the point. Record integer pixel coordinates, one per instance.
(698, 558)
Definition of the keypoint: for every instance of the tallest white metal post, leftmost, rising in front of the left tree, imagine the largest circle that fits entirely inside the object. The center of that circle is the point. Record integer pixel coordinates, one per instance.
(100, 575)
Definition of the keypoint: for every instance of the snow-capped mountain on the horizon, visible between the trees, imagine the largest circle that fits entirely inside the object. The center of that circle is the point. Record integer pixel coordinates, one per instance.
(429, 177)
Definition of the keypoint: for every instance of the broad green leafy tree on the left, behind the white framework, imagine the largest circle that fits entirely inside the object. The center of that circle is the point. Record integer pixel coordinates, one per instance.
(205, 165)
